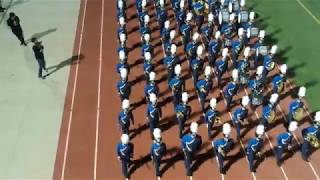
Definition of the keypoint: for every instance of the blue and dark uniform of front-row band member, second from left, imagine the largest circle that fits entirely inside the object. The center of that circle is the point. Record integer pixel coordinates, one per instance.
(157, 151)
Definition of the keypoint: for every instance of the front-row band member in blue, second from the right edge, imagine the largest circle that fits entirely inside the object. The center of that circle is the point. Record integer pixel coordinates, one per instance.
(284, 141)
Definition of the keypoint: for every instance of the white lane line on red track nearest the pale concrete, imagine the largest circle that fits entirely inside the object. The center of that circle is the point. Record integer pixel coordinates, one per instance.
(74, 92)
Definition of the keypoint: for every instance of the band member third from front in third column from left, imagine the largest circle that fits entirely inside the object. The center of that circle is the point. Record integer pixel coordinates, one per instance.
(177, 85)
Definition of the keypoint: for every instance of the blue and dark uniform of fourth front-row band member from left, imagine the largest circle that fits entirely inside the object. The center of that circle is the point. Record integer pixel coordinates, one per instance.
(222, 147)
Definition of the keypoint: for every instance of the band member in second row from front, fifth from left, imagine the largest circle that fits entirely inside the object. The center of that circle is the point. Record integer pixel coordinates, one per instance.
(240, 114)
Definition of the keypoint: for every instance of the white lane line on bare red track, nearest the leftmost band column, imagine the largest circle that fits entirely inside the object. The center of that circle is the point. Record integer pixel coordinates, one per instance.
(99, 93)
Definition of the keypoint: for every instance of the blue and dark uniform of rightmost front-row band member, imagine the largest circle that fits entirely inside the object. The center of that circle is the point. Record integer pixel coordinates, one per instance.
(308, 132)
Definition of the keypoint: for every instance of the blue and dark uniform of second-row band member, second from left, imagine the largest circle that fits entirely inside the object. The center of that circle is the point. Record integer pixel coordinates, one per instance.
(154, 114)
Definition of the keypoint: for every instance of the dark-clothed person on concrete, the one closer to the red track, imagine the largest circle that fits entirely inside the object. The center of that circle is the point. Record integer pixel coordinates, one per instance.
(38, 53)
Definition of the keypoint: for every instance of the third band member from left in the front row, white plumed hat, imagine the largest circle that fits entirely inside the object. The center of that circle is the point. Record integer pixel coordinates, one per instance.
(190, 143)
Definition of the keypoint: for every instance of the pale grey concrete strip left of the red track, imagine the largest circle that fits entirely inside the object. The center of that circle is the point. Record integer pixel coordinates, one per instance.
(31, 108)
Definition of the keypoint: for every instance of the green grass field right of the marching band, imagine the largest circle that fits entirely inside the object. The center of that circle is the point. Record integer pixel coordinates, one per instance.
(294, 25)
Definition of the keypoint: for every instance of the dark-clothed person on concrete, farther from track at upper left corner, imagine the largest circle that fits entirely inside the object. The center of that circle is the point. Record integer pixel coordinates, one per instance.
(14, 23)
